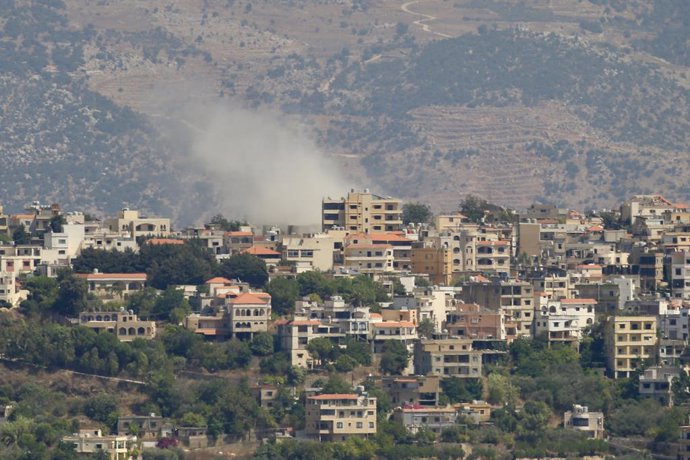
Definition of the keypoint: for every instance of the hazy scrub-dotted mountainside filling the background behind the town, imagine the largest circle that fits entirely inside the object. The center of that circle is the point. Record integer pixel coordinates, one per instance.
(577, 103)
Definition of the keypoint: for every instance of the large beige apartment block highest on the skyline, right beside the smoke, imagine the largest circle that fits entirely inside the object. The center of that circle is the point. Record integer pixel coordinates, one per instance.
(362, 212)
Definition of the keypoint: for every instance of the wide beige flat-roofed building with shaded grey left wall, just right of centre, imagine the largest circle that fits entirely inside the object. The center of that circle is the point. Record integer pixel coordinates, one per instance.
(447, 358)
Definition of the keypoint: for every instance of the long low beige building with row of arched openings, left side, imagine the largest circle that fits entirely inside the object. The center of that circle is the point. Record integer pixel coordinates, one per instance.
(125, 325)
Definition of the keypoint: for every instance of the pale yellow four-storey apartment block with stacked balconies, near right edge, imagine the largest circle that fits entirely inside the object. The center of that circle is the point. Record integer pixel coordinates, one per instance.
(629, 341)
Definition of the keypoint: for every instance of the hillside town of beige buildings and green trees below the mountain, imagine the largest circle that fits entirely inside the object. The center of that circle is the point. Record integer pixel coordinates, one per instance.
(479, 333)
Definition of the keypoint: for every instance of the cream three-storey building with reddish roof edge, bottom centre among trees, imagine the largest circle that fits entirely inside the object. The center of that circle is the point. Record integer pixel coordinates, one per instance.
(337, 417)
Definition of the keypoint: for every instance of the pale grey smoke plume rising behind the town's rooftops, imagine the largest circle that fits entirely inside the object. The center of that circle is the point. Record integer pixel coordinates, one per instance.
(265, 169)
